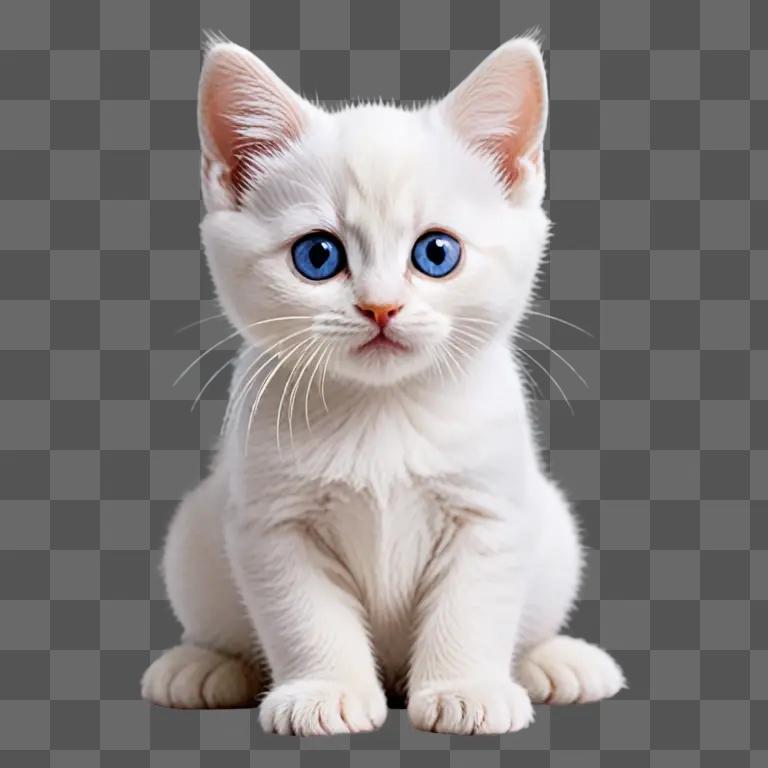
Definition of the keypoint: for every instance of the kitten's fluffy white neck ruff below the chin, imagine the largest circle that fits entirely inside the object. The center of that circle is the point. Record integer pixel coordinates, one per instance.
(375, 437)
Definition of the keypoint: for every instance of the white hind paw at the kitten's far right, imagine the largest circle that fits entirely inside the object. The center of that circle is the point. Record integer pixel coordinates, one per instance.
(566, 670)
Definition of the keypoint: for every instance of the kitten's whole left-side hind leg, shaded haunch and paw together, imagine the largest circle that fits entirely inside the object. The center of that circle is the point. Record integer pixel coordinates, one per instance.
(216, 664)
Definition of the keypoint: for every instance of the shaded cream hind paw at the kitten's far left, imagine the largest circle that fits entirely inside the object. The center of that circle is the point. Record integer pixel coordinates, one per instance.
(188, 677)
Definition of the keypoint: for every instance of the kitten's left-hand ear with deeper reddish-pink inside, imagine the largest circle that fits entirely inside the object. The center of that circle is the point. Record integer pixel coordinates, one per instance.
(244, 113)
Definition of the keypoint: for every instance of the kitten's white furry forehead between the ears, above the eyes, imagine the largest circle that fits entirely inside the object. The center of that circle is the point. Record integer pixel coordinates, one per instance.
(380, 176)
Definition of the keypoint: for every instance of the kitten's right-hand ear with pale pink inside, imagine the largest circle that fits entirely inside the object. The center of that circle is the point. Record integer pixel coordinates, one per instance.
(501, 107)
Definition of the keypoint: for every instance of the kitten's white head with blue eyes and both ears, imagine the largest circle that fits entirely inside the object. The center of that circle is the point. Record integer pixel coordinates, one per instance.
(395, 241)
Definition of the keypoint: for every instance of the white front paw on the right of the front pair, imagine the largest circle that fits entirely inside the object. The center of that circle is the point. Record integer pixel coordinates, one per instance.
(485, 706)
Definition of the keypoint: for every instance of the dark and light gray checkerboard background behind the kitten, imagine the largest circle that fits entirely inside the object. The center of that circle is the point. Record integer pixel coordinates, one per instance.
(658, 164)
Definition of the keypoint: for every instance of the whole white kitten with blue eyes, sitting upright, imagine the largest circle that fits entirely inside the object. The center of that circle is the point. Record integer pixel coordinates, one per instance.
(377, 517)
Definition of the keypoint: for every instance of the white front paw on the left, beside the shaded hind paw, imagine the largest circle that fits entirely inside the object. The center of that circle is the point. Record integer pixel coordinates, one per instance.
(321, 708)
